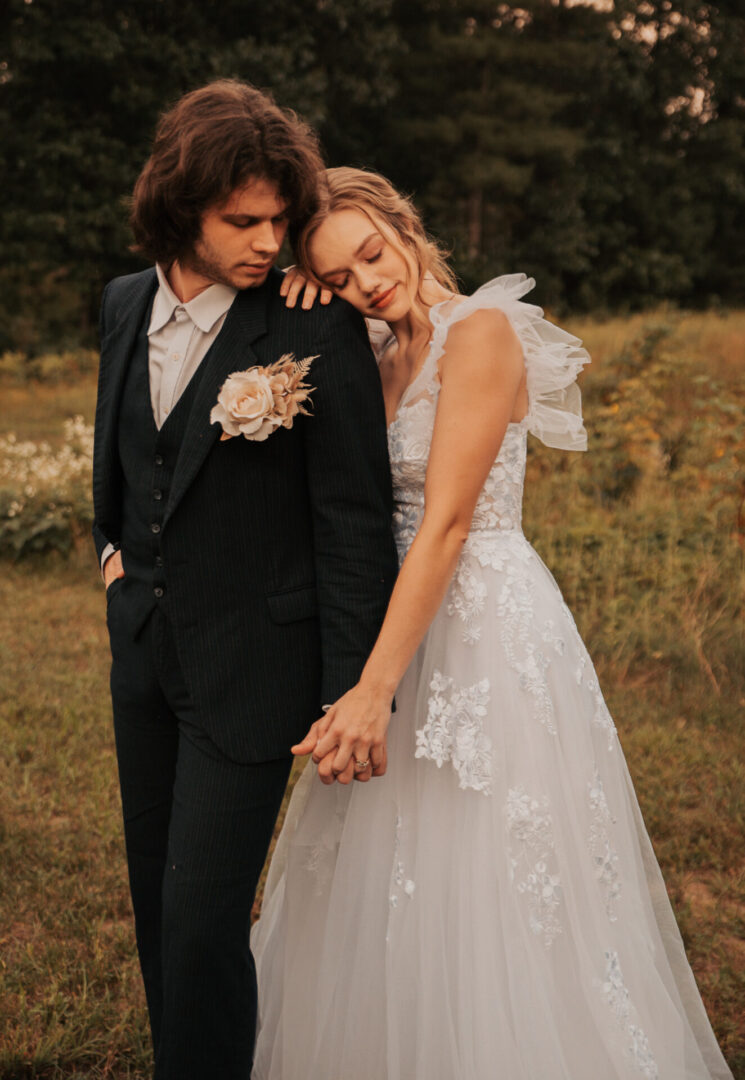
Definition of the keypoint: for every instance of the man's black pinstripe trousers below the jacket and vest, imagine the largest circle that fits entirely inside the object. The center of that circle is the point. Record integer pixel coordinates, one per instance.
(197, 828)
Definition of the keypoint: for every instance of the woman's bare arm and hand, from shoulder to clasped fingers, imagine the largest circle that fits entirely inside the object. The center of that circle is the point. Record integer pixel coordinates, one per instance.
(483, 382)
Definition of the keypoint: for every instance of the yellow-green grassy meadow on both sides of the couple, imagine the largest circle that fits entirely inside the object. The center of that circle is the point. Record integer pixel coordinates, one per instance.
(645, 537)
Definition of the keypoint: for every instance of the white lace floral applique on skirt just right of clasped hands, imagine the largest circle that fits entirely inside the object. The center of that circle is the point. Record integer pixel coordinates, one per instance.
(454, 731)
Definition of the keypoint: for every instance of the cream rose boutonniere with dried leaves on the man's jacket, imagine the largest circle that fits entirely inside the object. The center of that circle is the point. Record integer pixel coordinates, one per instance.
(256, 402)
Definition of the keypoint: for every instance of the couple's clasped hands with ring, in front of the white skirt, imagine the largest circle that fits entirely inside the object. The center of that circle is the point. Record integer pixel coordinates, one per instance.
(349, 742)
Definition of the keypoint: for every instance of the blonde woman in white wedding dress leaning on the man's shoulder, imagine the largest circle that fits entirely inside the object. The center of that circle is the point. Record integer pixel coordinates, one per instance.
(491, 907)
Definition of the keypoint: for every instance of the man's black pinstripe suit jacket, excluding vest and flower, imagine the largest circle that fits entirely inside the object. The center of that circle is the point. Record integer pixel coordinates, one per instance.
(279, 556)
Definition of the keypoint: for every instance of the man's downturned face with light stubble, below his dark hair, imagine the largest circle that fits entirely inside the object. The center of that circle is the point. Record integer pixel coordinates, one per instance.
(242, 238)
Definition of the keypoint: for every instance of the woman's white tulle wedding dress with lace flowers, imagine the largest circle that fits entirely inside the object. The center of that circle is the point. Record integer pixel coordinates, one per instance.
(492, 909)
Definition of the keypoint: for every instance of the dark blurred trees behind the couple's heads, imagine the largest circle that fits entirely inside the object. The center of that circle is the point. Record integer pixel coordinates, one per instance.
(599, 147)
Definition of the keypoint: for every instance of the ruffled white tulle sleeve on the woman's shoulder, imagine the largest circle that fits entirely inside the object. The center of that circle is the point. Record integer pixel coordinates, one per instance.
(553, 359)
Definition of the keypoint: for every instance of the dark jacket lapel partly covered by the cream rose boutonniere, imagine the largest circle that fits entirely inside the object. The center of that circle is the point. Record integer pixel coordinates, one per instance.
(246, 322)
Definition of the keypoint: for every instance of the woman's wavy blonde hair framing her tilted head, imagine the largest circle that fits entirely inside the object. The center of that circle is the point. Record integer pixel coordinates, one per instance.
(347, 188)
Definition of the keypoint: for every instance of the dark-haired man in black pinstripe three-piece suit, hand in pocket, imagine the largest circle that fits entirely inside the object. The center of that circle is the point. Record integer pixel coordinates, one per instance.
(246, 580)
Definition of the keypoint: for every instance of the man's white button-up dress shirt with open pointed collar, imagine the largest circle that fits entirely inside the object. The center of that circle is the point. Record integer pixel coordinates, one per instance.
(180, 336)
